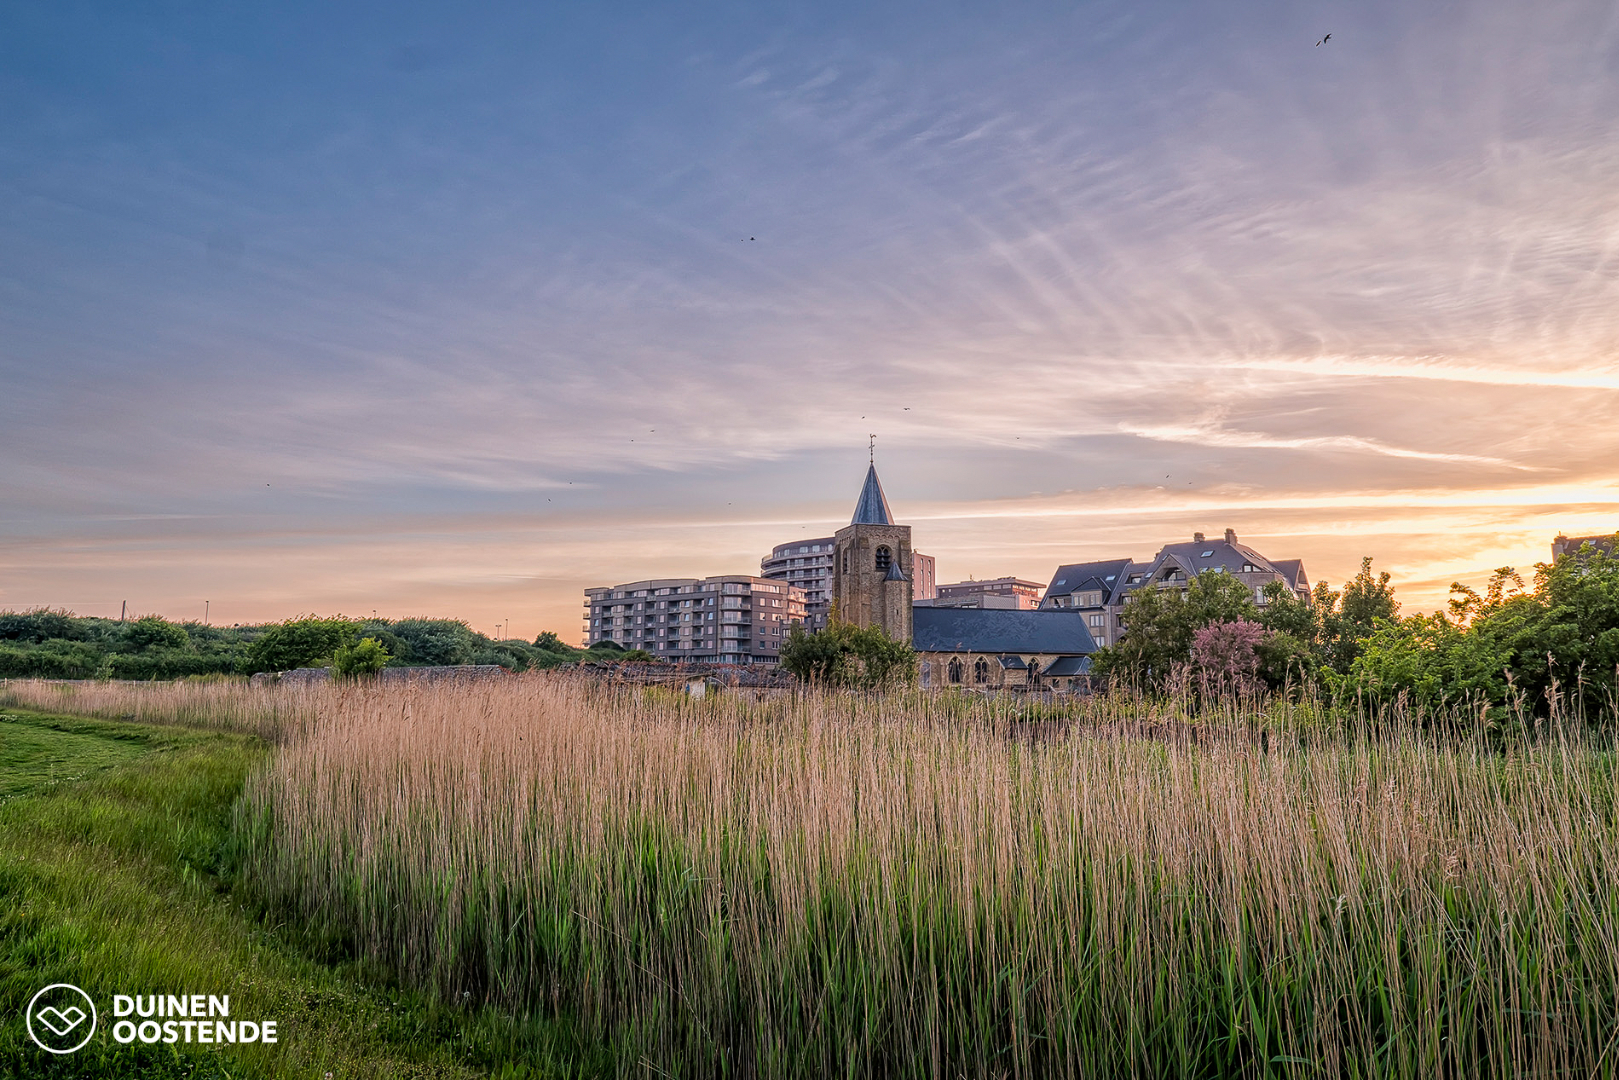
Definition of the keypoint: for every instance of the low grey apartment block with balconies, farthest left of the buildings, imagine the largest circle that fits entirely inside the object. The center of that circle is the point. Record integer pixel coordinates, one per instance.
(731, 619)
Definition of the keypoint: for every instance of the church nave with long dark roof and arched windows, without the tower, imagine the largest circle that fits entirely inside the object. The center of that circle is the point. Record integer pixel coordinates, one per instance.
(987, 648)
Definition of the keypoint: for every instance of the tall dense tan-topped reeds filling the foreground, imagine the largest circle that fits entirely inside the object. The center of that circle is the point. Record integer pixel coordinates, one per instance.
(906, 887)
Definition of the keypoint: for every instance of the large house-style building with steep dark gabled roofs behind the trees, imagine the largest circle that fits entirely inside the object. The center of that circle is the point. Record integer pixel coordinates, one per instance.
(1102, 590)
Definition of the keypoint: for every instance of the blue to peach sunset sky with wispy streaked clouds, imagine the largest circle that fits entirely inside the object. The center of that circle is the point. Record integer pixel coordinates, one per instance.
(457, 310)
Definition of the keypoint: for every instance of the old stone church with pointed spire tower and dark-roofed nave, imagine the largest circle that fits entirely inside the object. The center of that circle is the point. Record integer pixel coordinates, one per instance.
(956, 647)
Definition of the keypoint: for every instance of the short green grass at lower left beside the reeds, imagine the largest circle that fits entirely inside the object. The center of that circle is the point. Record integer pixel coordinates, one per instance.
(116, 869)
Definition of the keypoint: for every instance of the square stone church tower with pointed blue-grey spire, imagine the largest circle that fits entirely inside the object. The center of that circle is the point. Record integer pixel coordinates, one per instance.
(872, 566)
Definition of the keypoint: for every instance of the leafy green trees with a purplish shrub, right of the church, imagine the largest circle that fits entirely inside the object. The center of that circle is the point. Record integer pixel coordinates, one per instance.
(1526, 647)
